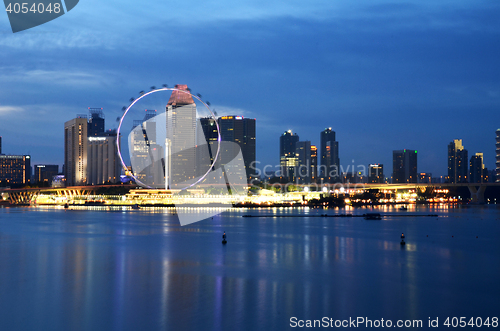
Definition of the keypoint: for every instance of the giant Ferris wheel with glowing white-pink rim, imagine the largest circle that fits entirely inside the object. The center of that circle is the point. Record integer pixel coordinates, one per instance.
(177, 126)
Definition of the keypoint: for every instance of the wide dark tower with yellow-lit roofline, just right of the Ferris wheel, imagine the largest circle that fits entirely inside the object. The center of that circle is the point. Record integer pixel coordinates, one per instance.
(241, 131)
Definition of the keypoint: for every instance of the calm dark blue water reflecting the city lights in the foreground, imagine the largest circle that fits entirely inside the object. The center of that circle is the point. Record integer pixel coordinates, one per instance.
(139, 270)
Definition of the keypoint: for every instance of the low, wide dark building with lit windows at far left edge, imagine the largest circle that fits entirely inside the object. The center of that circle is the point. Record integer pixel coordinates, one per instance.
(15, 169)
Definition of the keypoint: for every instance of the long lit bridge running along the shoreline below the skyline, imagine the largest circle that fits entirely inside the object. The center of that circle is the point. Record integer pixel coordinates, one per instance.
(28, 195)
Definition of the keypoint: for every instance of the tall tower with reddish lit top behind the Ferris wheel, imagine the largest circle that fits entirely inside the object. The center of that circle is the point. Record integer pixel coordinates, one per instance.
(181, 137)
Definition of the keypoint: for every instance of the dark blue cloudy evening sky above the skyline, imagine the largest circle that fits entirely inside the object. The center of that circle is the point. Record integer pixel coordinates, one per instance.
(384, 75)
